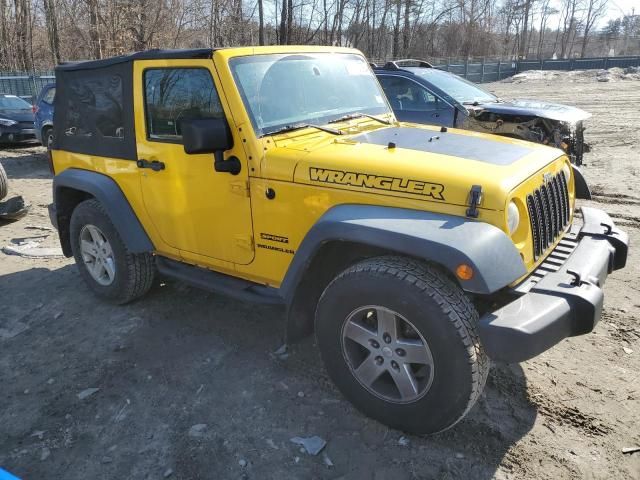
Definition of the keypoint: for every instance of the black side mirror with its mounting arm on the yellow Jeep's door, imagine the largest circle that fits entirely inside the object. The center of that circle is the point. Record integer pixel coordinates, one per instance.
(210, 135)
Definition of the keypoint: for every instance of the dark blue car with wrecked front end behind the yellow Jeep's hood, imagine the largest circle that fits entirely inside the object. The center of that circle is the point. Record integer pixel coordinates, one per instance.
(420, 93)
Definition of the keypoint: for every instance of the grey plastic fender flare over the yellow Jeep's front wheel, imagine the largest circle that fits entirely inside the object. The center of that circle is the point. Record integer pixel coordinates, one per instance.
(444, 239)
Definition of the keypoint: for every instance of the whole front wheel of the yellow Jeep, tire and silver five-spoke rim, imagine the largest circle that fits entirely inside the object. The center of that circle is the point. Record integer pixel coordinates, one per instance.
(398, 338)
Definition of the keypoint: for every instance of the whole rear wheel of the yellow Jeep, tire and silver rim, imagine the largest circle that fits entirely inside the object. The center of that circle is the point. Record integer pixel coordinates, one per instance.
(109, 269)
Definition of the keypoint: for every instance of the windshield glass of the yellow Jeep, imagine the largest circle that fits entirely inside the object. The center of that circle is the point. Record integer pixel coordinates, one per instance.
(289, 90)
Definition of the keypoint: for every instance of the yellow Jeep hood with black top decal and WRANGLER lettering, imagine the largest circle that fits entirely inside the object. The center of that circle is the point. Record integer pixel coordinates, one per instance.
(420, 163)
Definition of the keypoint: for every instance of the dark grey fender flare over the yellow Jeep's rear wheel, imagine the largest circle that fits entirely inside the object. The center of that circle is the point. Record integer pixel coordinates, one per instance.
(109, 194)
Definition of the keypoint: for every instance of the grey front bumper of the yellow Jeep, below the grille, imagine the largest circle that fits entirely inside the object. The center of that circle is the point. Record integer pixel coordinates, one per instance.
(561, 298)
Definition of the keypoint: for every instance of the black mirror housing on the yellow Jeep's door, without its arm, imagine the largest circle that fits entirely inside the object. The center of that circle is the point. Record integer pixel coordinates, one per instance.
(206, 135)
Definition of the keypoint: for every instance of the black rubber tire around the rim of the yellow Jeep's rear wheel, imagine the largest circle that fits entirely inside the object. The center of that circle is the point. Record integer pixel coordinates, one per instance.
(134, 273)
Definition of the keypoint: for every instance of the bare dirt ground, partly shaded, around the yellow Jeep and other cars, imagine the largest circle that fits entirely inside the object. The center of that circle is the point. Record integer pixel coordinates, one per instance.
(189, 386)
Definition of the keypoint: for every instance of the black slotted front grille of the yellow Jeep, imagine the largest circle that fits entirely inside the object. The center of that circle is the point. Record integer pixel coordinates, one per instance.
(549, 212)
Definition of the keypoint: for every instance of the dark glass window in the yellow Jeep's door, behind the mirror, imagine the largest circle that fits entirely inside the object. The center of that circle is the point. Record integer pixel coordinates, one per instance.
(175, 94)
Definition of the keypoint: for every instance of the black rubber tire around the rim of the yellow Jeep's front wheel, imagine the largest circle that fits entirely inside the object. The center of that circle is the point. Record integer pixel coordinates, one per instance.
(445, 320)
